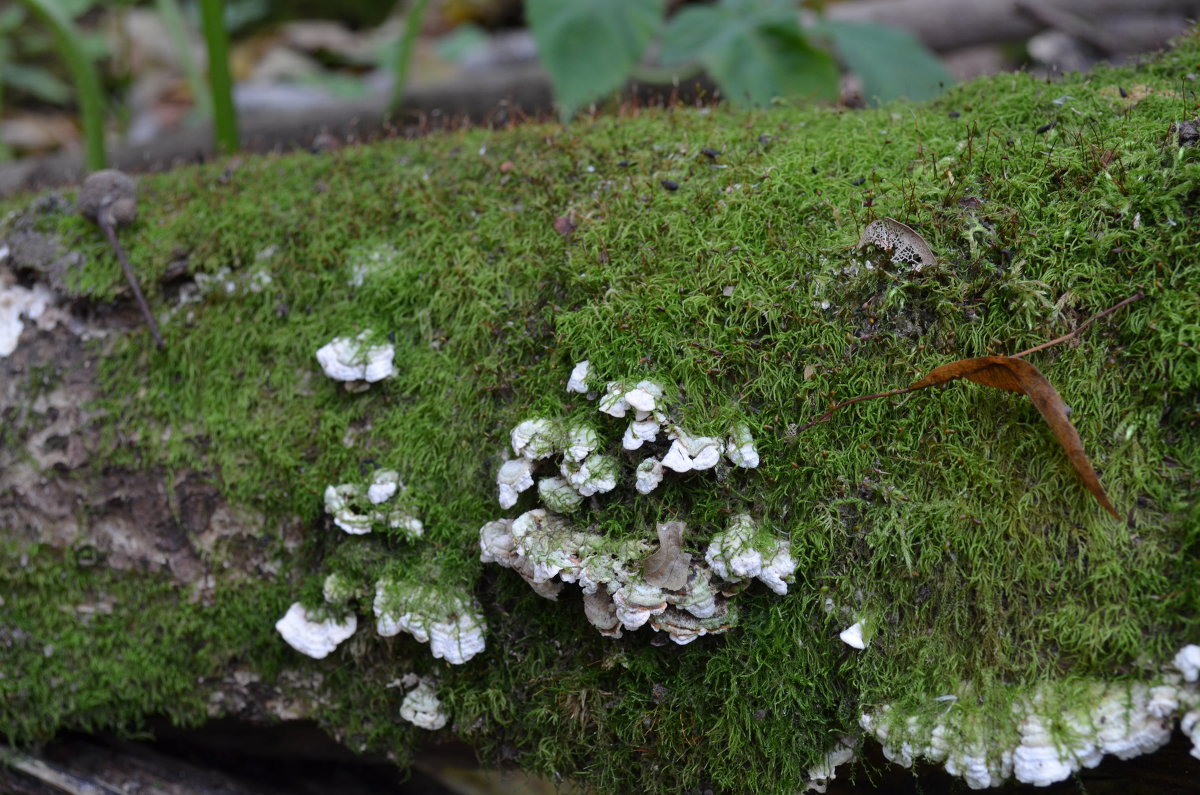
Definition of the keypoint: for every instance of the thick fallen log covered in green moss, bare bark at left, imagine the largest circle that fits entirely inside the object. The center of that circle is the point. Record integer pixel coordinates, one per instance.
(160, 511)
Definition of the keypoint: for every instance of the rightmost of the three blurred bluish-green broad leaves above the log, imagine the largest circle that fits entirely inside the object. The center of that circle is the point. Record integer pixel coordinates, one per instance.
(892, 63)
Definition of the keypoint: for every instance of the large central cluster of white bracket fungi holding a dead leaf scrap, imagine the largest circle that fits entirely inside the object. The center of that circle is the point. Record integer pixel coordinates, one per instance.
(625, 585)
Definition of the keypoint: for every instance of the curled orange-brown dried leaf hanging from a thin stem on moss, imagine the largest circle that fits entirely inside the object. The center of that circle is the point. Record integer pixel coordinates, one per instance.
(1021, 376)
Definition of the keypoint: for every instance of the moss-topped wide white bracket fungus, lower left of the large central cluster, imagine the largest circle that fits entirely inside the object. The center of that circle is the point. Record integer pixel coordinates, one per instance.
(452, 624)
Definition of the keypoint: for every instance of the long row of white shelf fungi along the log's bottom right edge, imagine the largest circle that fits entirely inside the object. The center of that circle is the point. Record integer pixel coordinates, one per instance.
(1118, 719)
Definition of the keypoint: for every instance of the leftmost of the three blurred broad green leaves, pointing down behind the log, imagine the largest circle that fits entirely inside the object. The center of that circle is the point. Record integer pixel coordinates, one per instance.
(591, 46)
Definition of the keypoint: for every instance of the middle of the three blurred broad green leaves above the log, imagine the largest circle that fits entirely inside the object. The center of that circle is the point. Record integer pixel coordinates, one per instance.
(754, 50)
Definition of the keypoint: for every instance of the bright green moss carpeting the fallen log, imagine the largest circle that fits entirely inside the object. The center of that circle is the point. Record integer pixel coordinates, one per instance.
(951, 516)
